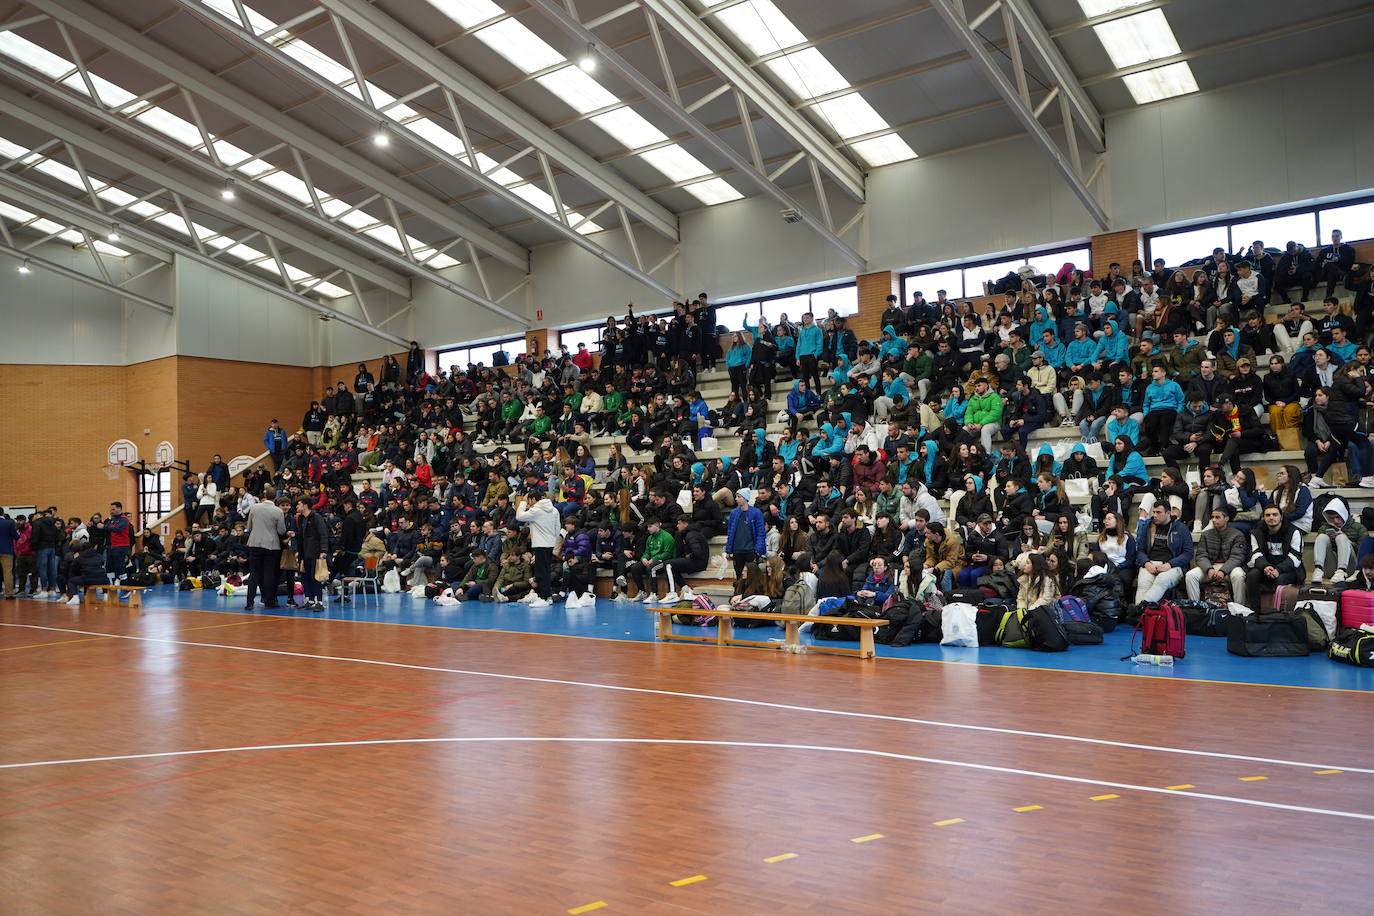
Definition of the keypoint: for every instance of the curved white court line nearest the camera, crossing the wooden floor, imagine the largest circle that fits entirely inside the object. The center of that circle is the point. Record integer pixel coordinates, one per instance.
(862, 752)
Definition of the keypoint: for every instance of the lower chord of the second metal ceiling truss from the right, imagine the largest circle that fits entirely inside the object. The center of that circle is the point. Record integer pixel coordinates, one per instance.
(574, 27)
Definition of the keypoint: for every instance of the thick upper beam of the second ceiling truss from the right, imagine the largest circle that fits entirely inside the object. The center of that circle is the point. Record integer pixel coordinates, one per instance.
(723, 60)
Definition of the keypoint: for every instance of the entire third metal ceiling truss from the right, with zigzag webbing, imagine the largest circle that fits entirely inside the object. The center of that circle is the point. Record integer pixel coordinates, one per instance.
(453, 83)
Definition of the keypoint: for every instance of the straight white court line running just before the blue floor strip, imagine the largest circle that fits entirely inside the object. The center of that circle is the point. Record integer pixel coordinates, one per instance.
(722, 700)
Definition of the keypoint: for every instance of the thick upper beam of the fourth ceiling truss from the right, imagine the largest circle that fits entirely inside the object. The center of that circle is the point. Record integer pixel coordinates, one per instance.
(164, 61)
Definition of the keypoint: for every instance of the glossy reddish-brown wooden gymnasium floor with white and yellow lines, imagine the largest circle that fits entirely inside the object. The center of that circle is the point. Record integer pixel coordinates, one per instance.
(197, 763)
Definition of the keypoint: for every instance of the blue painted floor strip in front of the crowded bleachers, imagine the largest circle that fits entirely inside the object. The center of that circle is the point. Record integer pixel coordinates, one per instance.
(1207, 659)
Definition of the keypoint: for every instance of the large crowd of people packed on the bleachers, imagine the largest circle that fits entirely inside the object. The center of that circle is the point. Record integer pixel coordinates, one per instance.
(906, 461)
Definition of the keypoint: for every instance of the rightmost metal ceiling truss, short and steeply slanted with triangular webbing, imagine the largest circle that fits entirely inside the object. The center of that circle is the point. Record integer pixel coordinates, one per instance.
(1079, 116)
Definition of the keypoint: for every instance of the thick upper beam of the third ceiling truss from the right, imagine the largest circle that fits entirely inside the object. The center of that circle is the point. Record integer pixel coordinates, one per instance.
(436, 65)
